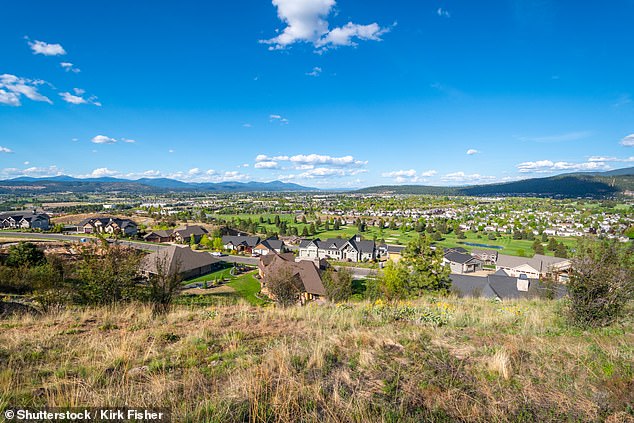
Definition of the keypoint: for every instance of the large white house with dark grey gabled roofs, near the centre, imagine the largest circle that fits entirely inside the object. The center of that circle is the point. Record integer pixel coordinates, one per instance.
(354, 249)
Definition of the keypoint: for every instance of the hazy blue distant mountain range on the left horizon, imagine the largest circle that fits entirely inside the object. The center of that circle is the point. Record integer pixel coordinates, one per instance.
(65, 183)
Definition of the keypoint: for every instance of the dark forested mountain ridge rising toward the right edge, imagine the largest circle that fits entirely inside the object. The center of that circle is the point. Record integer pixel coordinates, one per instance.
(583, 184)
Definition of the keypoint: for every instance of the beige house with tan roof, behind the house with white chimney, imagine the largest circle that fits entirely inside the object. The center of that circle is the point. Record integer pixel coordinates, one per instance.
(537, 267)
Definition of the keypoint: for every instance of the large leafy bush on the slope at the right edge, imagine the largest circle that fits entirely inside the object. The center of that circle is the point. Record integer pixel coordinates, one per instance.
(601, 283)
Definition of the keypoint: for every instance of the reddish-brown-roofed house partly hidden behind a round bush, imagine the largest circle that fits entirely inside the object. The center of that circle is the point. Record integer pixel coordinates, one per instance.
(305, 272)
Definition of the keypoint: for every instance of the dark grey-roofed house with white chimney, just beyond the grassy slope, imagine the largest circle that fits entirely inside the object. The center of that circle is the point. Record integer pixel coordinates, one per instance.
(501, 286)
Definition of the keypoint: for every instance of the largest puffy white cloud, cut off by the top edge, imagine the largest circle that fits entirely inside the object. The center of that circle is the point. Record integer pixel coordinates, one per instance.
(306, 21)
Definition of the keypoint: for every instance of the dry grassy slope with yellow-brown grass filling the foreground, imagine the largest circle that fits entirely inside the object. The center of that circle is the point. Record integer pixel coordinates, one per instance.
(490, 362)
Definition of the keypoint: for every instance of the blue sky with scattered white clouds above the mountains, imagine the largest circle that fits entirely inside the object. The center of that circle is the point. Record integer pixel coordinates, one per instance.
(325, 93)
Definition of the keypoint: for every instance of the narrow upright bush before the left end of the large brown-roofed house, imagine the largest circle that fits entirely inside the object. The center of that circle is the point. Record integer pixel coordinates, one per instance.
(164, 284)
